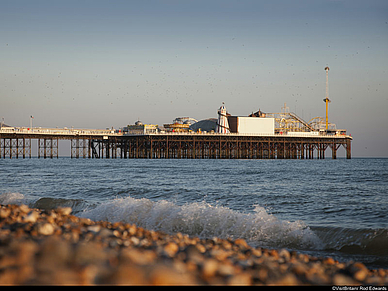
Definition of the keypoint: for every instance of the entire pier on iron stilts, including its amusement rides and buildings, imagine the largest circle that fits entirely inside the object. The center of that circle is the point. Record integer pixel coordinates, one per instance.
(260, 135)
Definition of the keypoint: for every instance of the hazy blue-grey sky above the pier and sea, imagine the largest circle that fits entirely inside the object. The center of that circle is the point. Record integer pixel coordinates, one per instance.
(99, 64)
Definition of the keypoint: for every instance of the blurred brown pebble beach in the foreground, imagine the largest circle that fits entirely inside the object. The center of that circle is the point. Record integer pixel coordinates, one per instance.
(54, 247)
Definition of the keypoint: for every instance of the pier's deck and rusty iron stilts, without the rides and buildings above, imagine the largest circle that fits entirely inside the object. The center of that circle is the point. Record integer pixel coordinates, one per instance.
(97, 144)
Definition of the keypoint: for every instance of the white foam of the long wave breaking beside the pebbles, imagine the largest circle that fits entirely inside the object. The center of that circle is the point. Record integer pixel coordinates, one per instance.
(207, 221)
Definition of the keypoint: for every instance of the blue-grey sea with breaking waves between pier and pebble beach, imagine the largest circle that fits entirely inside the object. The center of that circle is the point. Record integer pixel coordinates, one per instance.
(336, 208)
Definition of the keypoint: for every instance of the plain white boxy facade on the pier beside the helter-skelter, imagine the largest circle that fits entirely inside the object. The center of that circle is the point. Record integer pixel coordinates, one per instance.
(255, 125)
